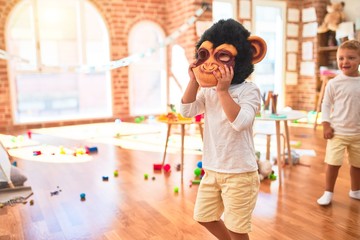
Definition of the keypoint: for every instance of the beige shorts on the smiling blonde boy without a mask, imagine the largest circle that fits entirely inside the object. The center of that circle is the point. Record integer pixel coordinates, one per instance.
(335, 150)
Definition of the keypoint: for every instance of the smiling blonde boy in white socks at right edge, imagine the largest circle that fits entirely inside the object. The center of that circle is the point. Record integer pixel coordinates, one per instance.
(341, 121)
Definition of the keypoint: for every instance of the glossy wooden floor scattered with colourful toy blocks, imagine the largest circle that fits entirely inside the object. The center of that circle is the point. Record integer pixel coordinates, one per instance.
(129, 207)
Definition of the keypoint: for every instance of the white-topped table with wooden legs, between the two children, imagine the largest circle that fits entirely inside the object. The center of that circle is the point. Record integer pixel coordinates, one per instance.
(282, 116)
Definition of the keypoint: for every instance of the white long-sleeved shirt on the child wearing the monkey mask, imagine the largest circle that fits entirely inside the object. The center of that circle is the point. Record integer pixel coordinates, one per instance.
(228, 146)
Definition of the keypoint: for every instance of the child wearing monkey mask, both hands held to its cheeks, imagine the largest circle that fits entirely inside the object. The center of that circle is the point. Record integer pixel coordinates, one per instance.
(225, 55)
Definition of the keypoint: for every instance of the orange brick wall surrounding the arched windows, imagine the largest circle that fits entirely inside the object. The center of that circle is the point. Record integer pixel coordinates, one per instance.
(120, 16)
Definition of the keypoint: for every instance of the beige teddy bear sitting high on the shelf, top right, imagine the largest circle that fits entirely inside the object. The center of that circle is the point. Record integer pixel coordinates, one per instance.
(335, 15)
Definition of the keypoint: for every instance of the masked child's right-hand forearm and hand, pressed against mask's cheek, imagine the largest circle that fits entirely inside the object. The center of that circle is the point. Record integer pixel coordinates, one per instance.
(230, 107)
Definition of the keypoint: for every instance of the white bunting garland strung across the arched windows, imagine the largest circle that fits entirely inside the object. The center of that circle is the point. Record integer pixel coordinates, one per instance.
(116, 63)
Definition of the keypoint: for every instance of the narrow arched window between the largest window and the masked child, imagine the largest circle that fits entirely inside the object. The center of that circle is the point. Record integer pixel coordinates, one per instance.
(147, 76)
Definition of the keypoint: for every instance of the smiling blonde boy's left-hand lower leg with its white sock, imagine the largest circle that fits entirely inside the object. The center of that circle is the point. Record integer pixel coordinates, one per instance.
(331, 176)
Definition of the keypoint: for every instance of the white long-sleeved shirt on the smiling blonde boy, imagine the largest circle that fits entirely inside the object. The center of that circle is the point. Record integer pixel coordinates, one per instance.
(341, 104)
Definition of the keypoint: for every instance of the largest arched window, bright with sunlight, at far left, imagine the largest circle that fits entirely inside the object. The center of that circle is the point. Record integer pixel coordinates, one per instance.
(56, 38)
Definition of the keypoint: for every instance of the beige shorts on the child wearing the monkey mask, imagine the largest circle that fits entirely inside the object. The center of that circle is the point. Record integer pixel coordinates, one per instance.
(234, 195)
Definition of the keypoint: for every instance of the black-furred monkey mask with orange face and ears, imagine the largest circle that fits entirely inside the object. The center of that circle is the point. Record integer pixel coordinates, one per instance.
(227, 42)
